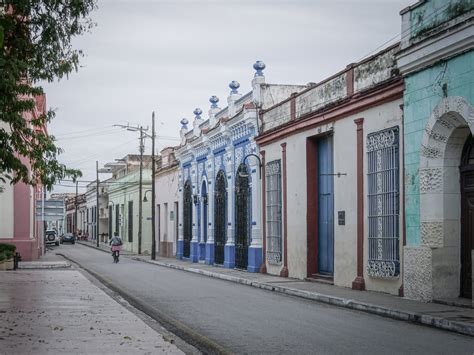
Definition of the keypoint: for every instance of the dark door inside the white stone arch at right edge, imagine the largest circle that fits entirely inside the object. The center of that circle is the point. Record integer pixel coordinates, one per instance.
(466, 170)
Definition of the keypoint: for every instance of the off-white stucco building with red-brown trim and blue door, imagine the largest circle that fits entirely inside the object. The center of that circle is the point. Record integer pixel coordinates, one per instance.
(332, 196)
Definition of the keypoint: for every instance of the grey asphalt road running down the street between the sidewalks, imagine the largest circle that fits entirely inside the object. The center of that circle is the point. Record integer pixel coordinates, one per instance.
(244, 319)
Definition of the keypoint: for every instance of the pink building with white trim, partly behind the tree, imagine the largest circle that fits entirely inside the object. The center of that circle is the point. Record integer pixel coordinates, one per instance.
(18, 224)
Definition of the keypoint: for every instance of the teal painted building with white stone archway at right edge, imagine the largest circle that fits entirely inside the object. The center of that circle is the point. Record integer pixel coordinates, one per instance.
(437, 62)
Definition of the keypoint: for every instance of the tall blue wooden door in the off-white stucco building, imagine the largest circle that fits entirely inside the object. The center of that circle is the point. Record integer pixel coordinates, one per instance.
(325, 207)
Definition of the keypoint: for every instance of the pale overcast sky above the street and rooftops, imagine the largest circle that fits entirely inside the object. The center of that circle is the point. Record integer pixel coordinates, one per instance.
(170, 56)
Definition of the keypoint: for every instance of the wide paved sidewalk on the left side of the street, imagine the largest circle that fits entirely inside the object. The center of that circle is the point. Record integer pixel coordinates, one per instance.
(52, 311)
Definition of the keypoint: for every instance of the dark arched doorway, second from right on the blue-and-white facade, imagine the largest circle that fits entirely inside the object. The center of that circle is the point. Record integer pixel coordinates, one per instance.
(220, 217)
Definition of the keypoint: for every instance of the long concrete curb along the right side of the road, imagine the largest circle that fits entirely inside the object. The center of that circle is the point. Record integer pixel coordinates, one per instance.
(415, 317)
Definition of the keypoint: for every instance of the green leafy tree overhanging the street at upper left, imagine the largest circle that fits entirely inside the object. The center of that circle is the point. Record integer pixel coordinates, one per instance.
(35, 46)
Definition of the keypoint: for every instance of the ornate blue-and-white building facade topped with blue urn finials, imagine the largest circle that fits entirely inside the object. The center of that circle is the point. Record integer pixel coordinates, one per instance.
(219, 178)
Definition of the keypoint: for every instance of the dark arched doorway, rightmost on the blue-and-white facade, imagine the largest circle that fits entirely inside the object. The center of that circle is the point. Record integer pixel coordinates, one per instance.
(242, 217)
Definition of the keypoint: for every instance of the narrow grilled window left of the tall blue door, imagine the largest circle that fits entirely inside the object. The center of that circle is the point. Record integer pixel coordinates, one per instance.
(273, 209)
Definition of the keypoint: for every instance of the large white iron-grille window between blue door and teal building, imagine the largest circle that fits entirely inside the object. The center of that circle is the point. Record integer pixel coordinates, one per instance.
(384, 203)
